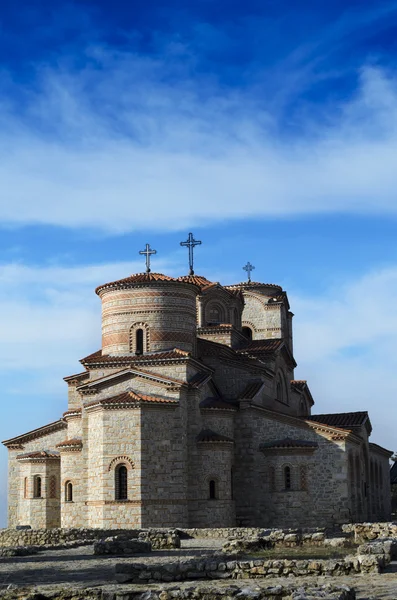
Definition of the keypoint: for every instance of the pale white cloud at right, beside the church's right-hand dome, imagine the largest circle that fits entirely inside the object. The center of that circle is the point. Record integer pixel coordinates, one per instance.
(345, 347)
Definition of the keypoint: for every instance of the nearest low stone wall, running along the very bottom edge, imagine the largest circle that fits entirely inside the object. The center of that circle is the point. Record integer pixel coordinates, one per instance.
(200, 592)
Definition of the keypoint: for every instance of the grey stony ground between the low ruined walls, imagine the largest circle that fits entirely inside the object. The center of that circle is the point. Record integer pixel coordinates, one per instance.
(80, 567)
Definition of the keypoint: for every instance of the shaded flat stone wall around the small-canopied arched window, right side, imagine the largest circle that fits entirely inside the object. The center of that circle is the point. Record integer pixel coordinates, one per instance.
(323, 502)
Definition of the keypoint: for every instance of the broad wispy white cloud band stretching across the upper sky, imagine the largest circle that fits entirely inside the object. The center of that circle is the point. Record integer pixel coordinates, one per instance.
(115, 147)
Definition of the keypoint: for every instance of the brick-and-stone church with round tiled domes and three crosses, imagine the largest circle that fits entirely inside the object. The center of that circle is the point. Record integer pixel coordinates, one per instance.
(189, 415)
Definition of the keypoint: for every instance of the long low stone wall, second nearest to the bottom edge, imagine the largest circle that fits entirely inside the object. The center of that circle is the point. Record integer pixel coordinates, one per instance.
(222, 568)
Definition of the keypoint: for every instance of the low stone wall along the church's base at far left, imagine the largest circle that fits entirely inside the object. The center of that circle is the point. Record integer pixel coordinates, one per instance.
(64, 538)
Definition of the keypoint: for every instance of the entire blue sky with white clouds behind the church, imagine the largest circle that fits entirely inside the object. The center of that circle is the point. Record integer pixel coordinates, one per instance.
(267, 128)
